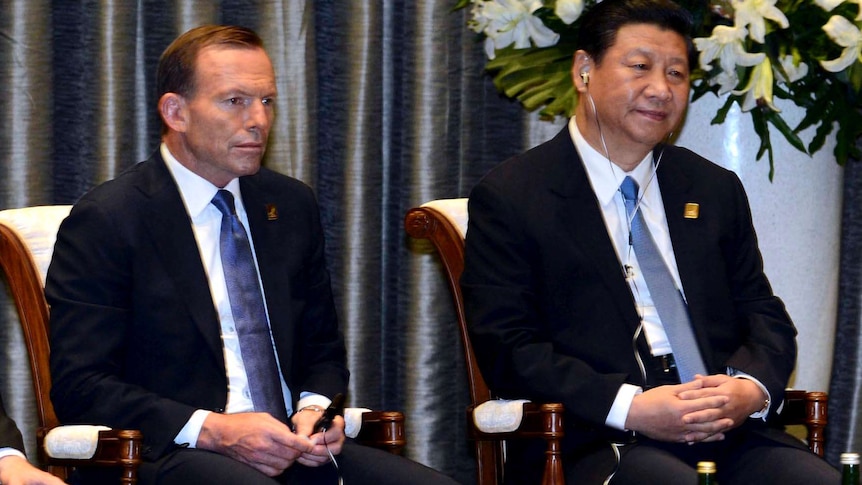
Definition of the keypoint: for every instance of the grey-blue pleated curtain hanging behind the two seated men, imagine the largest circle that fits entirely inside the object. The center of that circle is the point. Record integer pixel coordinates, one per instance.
(383, 104)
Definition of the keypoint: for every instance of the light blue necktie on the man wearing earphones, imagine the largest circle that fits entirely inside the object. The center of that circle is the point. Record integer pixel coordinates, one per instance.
(667, 299)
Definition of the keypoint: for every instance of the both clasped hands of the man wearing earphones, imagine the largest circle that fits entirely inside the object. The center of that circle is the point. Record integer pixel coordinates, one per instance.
(698, 411)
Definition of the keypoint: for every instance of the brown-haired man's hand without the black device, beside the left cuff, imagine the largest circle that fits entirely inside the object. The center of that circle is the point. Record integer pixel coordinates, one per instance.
(256, 439)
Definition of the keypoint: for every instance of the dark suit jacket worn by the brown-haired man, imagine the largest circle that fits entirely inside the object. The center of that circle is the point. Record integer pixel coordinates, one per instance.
(135, 337)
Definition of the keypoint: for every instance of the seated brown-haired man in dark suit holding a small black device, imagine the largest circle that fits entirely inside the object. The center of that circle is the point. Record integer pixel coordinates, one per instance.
(146, 332)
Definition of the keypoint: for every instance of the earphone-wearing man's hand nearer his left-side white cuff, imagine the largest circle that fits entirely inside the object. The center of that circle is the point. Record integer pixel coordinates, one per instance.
(660, 414)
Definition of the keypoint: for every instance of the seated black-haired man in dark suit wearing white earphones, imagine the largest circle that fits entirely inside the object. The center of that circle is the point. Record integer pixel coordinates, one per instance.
(562, 309)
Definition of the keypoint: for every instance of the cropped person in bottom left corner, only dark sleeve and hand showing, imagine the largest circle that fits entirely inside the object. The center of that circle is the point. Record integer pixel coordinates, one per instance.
(14, 467)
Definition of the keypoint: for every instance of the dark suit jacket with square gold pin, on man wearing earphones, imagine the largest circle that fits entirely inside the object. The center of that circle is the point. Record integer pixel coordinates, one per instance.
(551, 315)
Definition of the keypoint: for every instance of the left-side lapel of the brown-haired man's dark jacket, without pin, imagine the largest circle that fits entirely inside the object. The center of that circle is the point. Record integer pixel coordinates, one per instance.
(170, 231)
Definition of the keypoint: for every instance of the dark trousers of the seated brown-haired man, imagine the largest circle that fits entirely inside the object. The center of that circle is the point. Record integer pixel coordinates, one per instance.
(359, 465)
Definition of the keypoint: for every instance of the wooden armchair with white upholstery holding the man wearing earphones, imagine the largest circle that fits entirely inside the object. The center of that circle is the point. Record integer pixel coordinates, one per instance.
(444, 223)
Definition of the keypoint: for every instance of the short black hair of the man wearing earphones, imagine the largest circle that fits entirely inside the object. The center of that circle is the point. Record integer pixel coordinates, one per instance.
(601, 23)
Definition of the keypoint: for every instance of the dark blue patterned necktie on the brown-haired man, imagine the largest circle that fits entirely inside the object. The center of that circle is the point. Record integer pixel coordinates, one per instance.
(249, 314)
